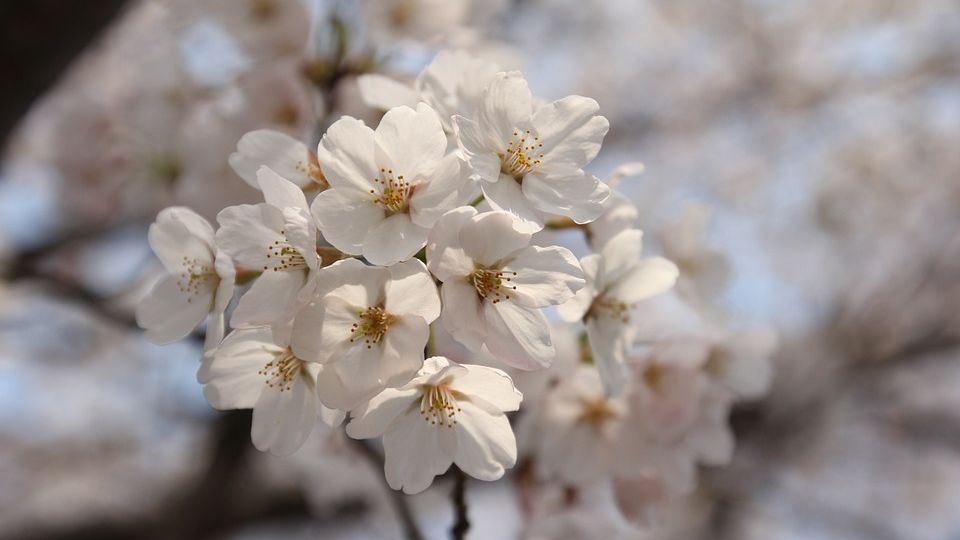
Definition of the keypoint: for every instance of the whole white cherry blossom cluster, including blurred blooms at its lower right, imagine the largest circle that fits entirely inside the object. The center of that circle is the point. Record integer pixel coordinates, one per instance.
(430, 234)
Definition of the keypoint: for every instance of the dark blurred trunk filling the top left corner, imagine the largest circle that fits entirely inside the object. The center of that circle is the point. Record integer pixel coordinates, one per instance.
(40, 38)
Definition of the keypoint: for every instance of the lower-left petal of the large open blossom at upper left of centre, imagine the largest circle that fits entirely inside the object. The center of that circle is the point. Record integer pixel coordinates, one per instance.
(345, 218)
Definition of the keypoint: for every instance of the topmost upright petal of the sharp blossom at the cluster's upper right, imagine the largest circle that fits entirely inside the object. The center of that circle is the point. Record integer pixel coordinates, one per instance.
(506, 105)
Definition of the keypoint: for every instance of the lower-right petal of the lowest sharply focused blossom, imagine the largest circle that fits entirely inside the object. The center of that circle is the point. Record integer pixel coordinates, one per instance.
(486, 446)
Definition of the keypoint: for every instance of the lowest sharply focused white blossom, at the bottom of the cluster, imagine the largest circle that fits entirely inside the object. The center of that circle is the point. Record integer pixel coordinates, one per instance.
(450, 413)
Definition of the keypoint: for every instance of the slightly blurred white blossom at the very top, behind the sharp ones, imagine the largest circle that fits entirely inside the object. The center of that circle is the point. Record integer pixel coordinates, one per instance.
(452, 84)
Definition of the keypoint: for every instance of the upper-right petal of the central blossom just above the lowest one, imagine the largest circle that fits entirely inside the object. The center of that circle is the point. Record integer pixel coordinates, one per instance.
(411, 290)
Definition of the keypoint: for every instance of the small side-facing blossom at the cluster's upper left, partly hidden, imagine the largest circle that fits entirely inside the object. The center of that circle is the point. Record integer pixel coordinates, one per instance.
(285, 155)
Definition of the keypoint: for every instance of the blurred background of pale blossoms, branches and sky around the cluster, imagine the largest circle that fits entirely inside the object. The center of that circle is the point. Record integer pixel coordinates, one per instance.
(823, 136)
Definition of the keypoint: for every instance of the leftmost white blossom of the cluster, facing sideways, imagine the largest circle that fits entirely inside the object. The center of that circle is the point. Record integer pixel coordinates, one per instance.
(199, 279)
